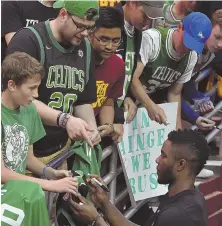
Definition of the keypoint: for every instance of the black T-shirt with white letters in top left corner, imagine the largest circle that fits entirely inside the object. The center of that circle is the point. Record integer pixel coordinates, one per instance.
(19, 14)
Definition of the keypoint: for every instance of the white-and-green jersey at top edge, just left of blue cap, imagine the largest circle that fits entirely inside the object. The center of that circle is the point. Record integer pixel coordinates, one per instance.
(169, 18)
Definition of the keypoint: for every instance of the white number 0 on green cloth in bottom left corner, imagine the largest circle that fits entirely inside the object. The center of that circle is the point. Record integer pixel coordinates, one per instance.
(13, 211)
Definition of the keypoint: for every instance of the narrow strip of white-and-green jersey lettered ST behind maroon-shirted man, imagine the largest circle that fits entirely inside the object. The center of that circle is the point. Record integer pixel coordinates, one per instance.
(129, 58)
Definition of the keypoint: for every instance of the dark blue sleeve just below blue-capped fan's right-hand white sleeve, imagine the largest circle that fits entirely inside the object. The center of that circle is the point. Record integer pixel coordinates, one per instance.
(190, 92)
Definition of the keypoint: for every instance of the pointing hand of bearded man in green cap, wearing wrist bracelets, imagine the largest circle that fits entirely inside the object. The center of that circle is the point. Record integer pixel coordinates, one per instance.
(77, 130)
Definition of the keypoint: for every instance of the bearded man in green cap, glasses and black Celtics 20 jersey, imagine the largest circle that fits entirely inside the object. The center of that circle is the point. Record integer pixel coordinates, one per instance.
(69, 86)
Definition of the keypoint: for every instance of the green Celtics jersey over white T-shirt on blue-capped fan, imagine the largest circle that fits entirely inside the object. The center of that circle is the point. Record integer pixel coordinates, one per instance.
(163, 65)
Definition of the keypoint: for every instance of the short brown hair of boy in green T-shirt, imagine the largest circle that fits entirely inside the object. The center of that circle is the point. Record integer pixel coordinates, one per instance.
(19, 66)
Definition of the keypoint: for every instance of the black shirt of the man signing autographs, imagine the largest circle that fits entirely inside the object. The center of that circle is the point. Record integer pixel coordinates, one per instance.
(187, 208)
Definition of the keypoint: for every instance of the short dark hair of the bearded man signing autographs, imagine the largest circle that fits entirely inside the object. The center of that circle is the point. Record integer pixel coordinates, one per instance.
(191, 144)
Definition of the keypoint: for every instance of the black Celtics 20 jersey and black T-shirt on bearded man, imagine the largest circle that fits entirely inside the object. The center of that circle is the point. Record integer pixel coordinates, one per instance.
(65, 81)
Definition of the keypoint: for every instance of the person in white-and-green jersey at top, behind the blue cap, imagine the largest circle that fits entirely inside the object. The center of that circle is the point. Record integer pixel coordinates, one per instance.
(174, 12)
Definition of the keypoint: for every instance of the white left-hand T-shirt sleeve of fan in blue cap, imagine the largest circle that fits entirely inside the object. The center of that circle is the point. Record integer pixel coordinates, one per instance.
(150, 45)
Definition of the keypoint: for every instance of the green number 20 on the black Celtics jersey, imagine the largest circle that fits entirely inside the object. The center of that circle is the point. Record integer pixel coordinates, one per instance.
(60, 101)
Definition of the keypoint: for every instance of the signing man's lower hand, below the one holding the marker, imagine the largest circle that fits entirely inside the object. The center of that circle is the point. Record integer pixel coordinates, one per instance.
(84, 210)
